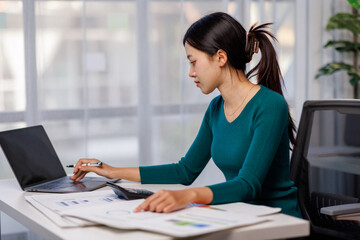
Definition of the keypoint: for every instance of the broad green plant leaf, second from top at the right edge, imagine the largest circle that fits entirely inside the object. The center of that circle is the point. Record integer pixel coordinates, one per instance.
(346, 21)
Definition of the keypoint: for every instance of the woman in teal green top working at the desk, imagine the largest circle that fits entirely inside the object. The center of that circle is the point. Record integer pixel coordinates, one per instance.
(245, 130)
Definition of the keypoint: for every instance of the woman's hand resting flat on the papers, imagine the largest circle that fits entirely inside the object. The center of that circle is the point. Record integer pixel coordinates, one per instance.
(165, 201)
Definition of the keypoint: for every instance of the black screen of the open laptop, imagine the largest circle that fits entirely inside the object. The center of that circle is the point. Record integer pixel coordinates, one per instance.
(31, 155)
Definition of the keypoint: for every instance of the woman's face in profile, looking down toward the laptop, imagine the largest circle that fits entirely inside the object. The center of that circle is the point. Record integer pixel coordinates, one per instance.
(204, 69)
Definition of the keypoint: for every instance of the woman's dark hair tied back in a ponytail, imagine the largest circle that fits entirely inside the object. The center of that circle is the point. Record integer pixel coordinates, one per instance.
(221, 31)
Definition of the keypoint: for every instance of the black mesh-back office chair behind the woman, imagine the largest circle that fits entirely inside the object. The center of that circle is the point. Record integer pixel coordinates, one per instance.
(327, 139)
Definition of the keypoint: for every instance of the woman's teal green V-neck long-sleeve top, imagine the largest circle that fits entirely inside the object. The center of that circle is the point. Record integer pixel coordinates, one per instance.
(252, 152)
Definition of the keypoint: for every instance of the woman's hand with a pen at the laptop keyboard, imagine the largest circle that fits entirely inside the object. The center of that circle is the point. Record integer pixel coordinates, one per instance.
(80, 171)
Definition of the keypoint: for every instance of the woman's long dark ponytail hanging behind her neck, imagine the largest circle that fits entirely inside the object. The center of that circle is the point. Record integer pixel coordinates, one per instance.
(267, 70)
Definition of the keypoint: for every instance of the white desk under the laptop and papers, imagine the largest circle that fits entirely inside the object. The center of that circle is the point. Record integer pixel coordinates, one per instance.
(12, 203)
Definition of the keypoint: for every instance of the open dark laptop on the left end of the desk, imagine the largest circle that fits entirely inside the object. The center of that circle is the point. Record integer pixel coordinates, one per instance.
(36, 165)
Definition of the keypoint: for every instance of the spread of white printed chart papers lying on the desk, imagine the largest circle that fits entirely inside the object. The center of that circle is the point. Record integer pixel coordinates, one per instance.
(103, 207)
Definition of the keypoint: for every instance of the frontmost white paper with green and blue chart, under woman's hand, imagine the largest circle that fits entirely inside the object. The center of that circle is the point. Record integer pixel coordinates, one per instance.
(188, 222)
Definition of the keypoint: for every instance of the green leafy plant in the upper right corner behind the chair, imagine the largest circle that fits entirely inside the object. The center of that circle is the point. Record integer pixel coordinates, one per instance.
(350, 22)
